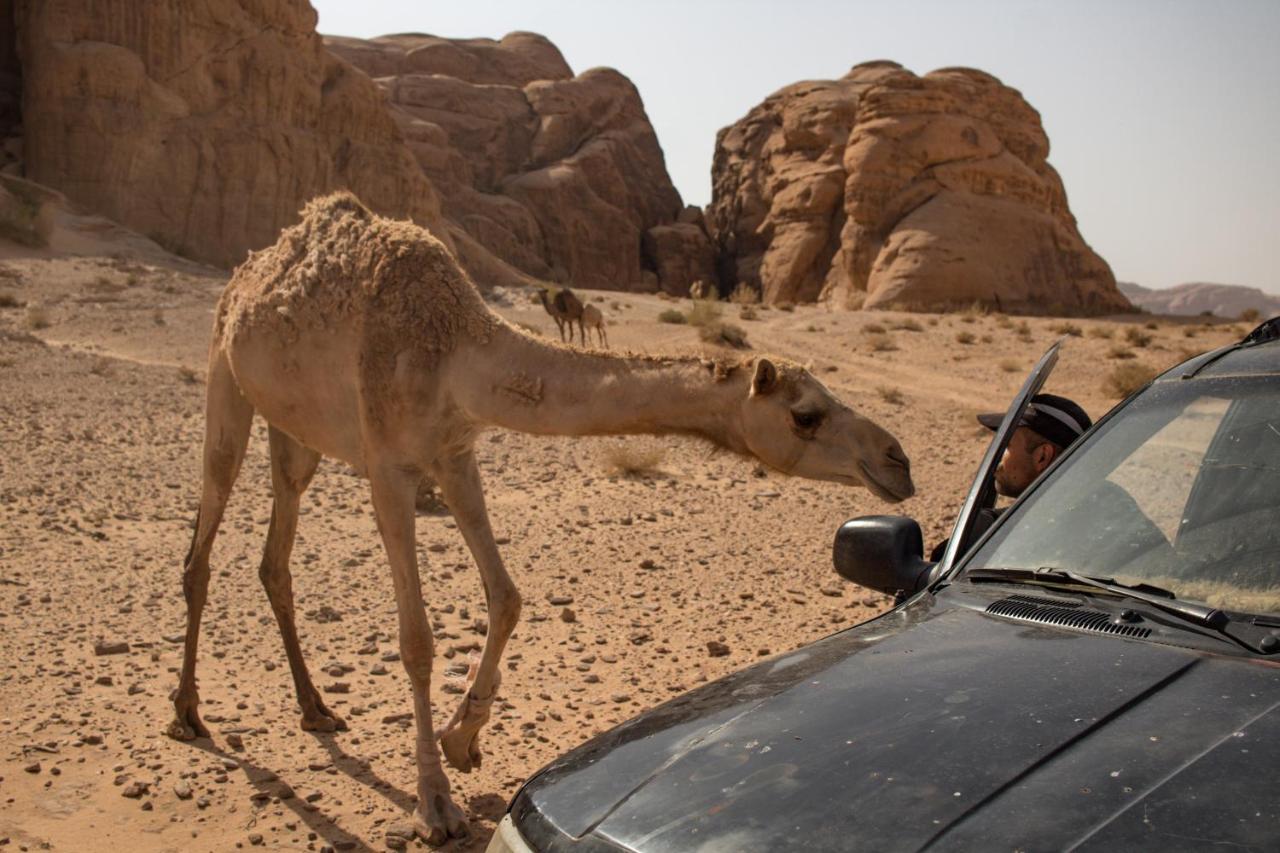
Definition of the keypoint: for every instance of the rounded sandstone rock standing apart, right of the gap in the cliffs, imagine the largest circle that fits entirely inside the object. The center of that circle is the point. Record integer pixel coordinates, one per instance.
(889, 190)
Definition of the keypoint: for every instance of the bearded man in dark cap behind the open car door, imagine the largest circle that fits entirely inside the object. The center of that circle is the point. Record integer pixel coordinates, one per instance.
(1049, 426)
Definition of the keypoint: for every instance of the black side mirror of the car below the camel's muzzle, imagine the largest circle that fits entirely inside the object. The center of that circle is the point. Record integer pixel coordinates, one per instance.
(884, 553)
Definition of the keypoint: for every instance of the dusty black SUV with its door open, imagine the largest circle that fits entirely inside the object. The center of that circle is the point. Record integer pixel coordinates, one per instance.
(1100, 670)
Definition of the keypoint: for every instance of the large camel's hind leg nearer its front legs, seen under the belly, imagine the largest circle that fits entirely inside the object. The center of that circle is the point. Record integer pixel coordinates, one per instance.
(292, 469)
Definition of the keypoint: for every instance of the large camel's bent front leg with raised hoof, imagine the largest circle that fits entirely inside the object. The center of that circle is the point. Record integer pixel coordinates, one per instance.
(460, 481)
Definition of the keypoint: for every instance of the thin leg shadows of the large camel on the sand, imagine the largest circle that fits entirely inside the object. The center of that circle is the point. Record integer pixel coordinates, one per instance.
(269, 782)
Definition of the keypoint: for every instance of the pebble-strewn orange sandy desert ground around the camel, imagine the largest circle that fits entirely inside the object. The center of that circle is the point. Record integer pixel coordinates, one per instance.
(102, 410)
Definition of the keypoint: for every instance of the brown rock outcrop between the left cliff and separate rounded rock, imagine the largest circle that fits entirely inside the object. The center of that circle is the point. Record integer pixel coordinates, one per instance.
(559, 176)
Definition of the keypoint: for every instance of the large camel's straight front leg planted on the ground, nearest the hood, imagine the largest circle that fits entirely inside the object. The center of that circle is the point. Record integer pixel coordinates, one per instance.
(436, 819)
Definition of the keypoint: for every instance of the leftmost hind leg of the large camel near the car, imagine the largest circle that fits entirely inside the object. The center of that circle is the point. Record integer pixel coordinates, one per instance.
(227, 421)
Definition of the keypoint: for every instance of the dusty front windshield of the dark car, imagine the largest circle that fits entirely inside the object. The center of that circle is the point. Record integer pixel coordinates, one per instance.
(1181, 490)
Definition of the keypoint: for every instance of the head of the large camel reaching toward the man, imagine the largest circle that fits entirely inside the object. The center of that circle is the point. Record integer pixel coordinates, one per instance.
(794, 425)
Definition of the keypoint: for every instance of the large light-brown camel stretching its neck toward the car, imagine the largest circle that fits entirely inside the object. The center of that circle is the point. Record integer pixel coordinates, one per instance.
(360, 339)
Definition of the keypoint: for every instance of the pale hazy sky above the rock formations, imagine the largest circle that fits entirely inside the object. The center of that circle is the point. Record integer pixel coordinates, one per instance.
(1163, 116)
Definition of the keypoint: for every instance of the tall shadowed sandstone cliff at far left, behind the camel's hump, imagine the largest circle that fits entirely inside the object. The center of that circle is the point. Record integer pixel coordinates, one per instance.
(205, 125)
